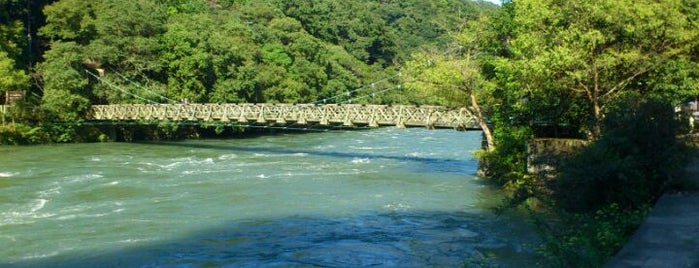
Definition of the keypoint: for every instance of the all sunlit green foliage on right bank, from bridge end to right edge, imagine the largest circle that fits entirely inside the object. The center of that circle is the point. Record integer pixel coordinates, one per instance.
(561, 66)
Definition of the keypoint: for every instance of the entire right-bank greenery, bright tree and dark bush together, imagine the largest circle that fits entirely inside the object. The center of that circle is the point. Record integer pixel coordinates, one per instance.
(610, 72)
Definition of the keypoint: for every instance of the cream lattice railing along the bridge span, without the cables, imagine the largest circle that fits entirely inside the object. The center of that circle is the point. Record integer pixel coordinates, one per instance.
(302, 114)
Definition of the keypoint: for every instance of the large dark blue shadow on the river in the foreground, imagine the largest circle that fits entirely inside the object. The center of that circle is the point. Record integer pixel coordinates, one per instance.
(394, 239)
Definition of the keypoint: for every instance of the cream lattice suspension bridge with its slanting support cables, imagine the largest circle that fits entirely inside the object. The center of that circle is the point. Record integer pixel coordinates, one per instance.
(327, 112)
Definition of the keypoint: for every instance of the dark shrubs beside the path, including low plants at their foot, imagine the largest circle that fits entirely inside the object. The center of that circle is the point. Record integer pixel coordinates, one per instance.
(602, 193)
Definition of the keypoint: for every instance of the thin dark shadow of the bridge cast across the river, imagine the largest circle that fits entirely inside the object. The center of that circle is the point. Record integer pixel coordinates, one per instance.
(444, 165)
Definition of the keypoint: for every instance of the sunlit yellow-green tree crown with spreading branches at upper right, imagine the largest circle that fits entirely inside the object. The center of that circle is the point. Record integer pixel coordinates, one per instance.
(596, 50)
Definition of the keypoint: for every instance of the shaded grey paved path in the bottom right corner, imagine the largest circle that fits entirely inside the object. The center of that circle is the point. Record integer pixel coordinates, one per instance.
(669, 237)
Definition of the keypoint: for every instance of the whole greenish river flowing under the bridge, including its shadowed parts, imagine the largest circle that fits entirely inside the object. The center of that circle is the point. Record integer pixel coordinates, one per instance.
(383, 197)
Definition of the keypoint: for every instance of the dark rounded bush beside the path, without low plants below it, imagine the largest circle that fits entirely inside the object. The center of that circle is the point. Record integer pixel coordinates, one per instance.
(635, 157)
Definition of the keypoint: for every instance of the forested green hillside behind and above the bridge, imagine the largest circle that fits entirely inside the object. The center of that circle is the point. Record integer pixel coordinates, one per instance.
(96, 52)
